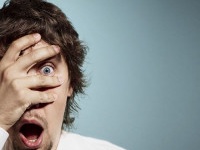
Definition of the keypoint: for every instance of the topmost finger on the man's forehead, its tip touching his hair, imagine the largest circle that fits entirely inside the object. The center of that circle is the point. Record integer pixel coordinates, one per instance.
(20, 44)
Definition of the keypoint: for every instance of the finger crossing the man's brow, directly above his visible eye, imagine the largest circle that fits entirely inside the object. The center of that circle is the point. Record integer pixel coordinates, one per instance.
(33, 57)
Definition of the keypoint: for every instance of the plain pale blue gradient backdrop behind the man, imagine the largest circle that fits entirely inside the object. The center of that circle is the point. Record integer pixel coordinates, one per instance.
(144, 69)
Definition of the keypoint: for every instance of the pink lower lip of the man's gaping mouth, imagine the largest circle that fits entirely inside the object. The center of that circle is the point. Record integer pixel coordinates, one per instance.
(32, 145)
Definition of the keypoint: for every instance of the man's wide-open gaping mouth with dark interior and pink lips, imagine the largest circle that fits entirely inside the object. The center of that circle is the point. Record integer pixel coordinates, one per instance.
(31, 135)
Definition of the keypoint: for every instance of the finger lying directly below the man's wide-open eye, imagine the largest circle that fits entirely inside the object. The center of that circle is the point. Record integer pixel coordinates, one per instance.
(39, 81)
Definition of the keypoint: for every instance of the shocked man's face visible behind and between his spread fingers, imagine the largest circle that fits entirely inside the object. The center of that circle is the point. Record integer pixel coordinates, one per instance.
(40, 126)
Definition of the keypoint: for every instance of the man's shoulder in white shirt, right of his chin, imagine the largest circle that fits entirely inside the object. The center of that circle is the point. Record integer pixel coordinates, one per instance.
(77, 142)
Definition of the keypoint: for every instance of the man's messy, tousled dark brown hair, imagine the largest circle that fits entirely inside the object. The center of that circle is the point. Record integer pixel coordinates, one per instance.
(22, 17)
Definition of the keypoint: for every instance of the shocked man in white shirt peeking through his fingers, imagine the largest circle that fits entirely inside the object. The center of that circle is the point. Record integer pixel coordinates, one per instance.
(40, 74)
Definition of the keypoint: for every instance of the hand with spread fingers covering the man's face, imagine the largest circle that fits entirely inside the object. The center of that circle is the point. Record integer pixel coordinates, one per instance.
(16, 87)
